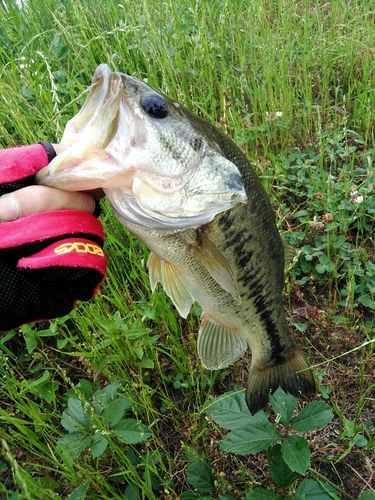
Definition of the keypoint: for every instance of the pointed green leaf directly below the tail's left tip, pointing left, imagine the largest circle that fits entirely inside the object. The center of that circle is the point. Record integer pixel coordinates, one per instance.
(257, 436)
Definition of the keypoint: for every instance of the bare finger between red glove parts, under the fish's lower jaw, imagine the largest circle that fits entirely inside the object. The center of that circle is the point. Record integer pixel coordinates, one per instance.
(35, 199)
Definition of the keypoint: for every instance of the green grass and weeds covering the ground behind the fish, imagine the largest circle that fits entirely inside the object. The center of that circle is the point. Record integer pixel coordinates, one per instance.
(293, 83)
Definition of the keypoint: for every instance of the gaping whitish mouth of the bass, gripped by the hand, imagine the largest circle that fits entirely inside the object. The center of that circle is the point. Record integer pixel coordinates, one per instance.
(87, 135)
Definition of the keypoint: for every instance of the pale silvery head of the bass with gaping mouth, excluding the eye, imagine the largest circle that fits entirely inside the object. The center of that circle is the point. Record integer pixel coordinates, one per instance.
(113, 144)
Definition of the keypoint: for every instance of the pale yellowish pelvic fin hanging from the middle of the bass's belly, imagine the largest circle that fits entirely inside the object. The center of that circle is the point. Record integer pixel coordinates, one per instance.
(174, 283)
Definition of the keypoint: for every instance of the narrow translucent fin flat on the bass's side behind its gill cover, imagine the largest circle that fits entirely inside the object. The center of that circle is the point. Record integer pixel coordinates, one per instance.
(217, 265)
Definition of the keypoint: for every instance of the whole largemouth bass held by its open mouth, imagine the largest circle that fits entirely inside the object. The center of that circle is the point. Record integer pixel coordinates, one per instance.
(190, 195)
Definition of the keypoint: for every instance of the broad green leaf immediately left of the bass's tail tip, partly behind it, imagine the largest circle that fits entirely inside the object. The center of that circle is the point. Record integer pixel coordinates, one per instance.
(230, 411)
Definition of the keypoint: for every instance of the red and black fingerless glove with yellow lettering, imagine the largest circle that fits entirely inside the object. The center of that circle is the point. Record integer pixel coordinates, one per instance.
(48, 260)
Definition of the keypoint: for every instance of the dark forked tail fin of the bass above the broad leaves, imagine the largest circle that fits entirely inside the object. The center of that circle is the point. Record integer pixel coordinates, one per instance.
(293, 376)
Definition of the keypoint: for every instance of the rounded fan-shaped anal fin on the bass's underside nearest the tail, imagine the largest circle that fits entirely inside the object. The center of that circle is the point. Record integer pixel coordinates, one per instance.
(219, 346)
